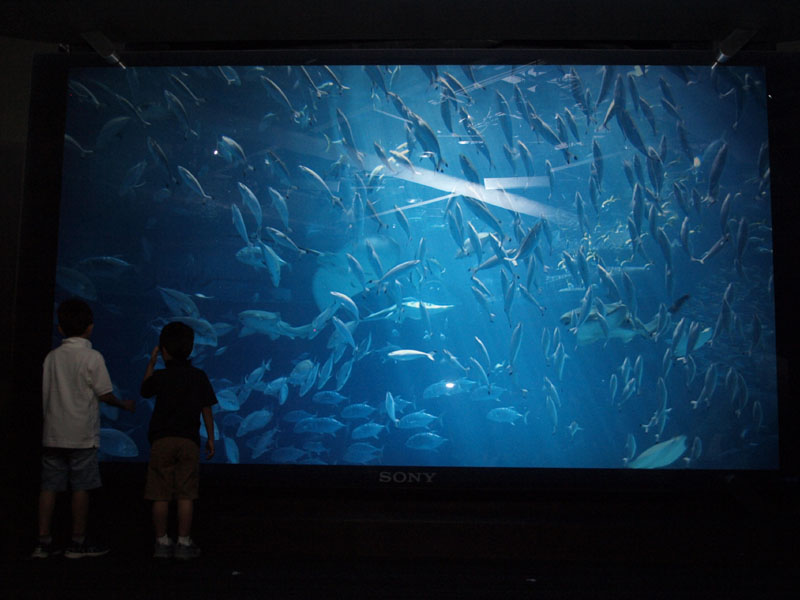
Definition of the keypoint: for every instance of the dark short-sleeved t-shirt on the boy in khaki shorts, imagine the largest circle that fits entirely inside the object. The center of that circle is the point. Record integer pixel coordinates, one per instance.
(181, 392)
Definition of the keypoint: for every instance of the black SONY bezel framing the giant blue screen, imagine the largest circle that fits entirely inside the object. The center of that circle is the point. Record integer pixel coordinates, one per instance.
(39, 231)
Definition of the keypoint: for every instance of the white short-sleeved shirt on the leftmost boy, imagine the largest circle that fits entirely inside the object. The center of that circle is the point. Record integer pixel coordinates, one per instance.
(73, 377)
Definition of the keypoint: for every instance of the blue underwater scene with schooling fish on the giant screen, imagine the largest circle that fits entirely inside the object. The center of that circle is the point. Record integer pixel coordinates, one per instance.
(472, 266)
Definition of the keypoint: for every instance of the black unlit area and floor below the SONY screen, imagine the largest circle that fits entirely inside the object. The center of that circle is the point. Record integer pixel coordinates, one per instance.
(320, 545)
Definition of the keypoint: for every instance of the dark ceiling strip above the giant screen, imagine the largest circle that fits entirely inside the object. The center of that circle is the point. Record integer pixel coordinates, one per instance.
(199, 24)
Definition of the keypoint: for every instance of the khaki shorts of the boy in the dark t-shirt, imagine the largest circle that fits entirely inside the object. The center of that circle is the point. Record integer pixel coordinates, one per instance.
(173, 470)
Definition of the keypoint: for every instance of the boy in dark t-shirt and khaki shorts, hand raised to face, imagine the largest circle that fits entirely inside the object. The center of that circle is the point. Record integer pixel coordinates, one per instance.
(183, 393)
